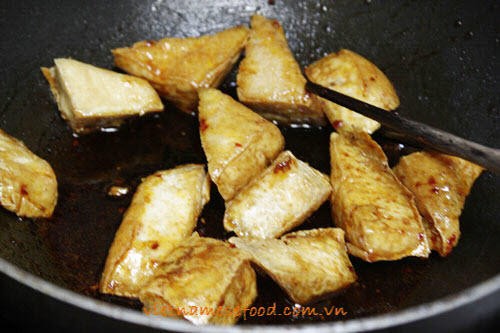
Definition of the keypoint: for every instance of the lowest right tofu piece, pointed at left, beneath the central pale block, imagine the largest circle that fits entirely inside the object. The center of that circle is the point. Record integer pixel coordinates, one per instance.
(306, 264)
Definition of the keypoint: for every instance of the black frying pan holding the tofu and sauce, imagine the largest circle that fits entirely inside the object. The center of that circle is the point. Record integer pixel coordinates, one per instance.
(443, 58)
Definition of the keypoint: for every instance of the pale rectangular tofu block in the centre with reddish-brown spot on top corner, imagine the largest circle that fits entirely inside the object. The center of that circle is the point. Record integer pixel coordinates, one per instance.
(281, 198)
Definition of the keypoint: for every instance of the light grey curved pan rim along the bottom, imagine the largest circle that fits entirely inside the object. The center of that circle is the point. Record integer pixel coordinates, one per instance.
(383, 321)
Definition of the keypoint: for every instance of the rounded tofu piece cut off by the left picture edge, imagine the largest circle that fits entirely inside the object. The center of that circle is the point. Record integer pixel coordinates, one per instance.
(28, 185)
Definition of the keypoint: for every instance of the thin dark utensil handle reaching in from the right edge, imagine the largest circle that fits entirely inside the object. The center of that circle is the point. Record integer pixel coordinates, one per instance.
(418, 133)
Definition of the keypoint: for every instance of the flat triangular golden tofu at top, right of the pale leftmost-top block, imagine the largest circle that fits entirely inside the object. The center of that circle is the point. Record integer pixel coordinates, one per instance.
(178, 67)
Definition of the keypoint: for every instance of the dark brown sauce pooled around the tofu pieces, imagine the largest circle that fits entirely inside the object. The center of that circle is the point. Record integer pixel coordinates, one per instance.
(86, 218)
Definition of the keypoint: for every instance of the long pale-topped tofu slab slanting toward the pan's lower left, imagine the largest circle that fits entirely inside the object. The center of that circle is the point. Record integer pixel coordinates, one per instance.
(163, 212)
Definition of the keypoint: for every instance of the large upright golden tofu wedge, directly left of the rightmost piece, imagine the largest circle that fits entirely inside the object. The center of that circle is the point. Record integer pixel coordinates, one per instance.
(377, 212)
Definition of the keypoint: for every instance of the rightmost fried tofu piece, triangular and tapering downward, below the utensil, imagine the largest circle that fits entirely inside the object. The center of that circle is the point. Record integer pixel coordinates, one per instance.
(440, 183)
